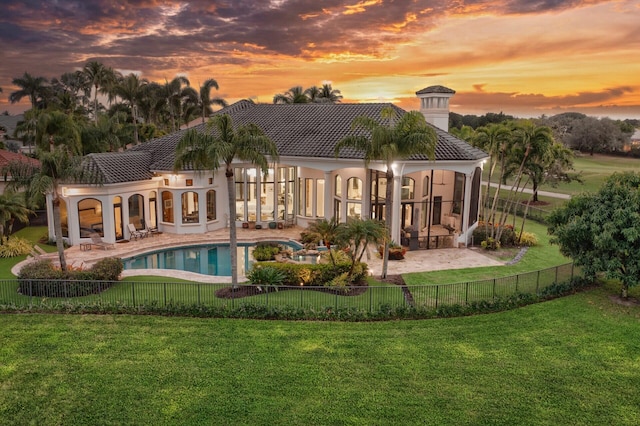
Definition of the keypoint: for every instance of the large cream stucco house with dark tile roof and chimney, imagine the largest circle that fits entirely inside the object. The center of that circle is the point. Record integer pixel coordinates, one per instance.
(308, 182)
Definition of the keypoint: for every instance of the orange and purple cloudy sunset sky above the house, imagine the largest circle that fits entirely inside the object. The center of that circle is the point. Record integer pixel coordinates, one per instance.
(521, 57)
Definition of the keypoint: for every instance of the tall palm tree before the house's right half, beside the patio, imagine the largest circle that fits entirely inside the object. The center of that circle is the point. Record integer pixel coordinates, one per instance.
(398, 137)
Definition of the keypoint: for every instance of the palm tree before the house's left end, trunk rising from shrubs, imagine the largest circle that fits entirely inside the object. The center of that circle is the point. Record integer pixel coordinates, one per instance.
(56, 167)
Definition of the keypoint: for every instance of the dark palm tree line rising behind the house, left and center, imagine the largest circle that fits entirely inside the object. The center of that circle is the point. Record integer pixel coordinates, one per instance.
(98, 109)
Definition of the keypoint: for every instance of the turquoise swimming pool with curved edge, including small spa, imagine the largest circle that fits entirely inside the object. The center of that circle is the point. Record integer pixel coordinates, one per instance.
(207, 259)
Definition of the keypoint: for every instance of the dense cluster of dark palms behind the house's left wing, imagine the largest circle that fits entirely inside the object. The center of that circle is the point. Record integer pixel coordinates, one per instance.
(150, 108)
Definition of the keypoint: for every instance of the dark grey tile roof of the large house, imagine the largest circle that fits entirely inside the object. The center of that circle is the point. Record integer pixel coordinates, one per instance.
(299, 130)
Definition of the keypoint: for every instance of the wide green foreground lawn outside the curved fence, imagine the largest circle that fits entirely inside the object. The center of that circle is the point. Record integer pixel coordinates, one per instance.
(571, 361)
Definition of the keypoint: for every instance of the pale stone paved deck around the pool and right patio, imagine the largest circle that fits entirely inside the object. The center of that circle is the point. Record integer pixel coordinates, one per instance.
(414, 261)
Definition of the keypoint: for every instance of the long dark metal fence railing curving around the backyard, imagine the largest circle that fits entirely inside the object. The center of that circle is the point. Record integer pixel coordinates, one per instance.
(41, 293)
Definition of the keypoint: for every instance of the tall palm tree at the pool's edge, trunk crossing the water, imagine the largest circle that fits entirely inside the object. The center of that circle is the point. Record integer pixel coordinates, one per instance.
(222, 145)
